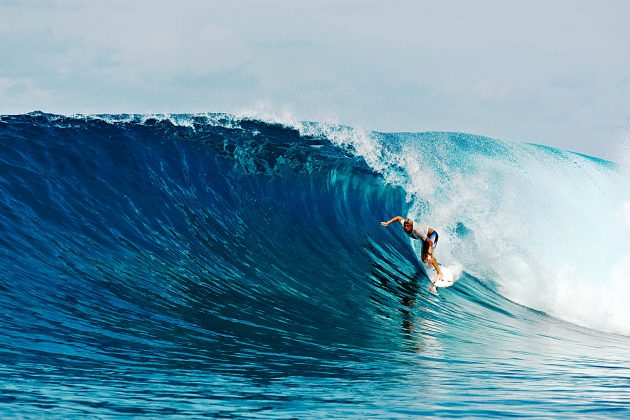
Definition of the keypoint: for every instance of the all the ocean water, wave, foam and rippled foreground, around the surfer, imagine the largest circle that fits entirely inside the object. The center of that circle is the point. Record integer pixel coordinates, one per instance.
(216, 265)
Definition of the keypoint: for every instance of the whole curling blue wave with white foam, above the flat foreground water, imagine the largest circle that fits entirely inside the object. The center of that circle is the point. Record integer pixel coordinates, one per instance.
(234, 245)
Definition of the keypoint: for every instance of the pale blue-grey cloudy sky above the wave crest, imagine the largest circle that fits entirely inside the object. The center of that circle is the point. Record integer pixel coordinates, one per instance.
(548, 72)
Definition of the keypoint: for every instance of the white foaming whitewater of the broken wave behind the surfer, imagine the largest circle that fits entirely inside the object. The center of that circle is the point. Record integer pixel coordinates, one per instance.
(548, 228)
